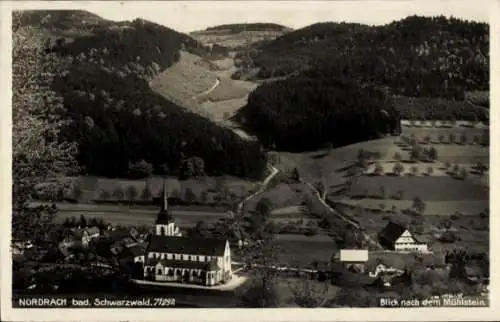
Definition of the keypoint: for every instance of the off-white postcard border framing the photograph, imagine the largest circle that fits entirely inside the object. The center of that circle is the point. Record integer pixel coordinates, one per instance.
(282, 314)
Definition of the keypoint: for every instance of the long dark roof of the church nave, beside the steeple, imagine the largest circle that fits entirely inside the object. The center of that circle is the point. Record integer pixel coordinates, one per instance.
(187, 245)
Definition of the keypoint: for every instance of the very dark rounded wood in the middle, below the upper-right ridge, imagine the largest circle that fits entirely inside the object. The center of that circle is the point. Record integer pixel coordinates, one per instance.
(314, 109)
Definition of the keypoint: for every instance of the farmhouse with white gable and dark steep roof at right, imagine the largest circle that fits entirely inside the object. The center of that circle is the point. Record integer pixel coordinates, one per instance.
(397, 237)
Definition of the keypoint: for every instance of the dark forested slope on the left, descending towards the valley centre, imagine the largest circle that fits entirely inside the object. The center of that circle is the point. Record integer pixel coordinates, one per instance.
(101, 71)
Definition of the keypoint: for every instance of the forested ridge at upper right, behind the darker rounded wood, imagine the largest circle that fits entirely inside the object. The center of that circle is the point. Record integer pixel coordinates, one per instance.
(416, 56)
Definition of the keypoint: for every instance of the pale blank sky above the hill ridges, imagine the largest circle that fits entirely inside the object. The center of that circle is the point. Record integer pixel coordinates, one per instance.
(187, 16)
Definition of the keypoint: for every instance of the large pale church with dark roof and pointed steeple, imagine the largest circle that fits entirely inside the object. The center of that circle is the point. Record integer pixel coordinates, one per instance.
(171, 257)
